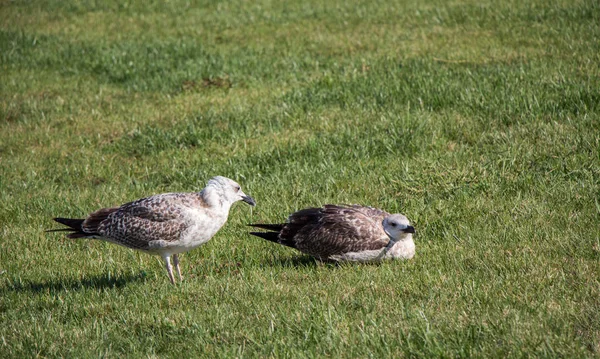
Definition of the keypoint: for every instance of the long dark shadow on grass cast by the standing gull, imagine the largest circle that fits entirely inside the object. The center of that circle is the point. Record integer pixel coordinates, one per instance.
(102, 281)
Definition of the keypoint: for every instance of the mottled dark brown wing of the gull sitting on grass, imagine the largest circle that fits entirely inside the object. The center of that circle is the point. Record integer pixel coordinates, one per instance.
(333, 230)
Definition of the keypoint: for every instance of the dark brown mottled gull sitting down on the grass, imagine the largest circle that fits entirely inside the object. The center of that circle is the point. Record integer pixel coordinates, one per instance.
(344, 233)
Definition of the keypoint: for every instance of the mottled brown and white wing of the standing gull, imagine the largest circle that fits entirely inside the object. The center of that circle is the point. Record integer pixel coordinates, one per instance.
(138, 223)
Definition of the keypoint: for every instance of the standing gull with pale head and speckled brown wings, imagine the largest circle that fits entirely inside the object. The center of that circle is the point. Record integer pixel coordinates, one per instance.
(165, 224)
